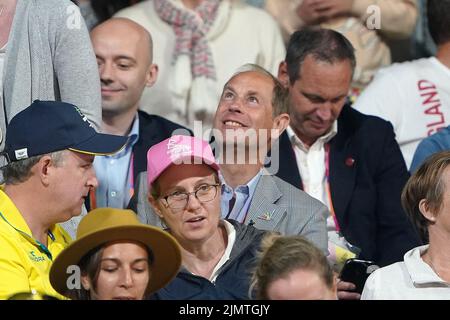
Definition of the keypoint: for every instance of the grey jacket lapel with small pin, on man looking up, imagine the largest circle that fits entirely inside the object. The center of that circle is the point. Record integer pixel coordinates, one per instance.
(263, 211)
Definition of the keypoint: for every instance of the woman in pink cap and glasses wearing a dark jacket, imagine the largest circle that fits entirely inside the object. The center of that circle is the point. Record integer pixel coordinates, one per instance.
(217, 255)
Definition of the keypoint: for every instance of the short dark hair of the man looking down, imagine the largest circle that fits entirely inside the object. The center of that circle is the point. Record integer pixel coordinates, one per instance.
(323, 44)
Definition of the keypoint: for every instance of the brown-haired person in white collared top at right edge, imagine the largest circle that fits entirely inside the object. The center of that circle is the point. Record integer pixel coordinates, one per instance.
(425, 271)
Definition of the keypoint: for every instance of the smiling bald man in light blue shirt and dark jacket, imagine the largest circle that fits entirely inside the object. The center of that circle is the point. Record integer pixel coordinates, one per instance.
(124, 53)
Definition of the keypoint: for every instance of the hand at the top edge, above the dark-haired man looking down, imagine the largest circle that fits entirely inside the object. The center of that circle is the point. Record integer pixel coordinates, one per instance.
(315, 11)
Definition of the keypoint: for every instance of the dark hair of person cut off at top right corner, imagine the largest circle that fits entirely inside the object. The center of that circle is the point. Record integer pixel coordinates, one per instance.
(438, 14)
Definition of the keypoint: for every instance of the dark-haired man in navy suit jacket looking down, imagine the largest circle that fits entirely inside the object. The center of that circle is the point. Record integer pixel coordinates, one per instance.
(348, 160)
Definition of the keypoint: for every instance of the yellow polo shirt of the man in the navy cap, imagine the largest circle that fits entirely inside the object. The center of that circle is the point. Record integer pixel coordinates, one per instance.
(24, 262)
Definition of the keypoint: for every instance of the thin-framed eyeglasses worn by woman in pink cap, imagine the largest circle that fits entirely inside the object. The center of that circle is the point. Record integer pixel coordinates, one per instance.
(204, 193)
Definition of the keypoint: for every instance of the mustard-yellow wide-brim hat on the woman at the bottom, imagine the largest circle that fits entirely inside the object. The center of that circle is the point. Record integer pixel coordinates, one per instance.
(104, 225)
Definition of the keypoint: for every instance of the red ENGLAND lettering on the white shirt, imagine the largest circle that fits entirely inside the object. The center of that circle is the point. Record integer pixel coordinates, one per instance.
(432, 106)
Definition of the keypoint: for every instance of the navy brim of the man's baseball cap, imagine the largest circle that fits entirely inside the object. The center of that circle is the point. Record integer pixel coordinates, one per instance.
(101, 144)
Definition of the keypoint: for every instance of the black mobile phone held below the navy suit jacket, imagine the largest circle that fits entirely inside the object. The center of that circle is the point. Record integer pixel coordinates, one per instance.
(357, 271)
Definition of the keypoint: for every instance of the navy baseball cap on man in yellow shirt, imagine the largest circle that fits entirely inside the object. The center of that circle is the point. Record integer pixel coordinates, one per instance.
(50, 126)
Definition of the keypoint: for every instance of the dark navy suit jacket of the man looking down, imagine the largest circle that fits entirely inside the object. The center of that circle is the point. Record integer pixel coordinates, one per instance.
(367, 175)
